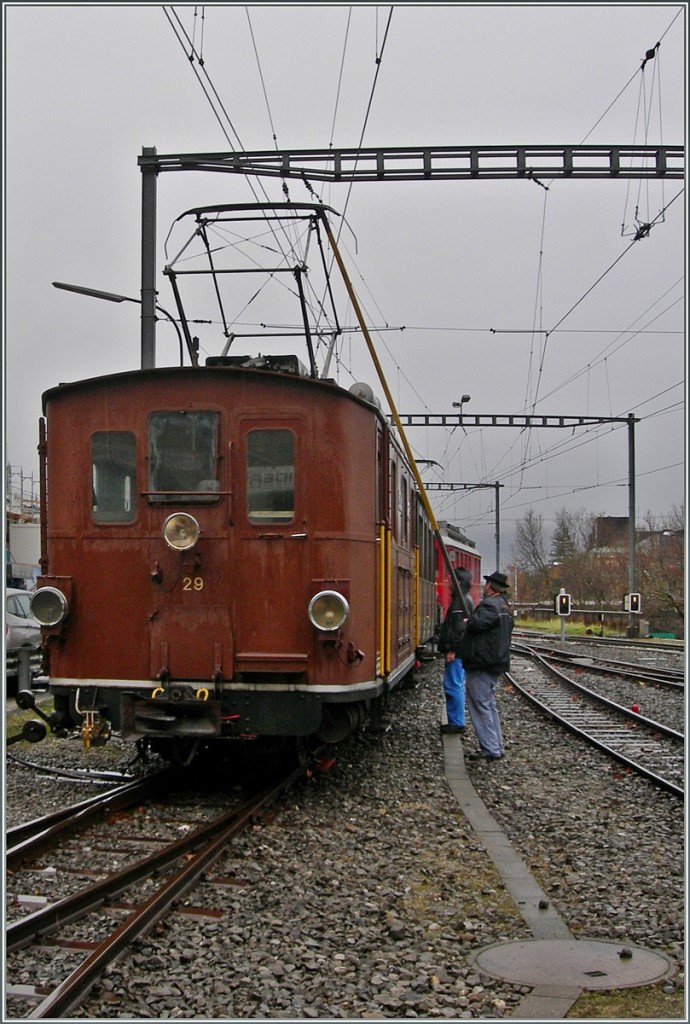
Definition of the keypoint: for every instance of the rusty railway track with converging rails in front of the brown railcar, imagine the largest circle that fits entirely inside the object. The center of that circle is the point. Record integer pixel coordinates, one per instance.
(184, 862)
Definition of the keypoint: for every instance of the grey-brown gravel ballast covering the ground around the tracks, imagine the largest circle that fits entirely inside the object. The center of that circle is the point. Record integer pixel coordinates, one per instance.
(367, 893)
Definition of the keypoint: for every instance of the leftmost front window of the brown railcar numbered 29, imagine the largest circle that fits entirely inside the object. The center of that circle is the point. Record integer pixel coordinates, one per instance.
(113, 477)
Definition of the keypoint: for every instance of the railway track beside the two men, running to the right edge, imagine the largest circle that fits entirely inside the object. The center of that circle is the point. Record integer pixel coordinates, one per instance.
(642, 745)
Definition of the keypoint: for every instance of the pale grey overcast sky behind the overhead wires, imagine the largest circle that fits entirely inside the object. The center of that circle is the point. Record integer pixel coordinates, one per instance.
(476, 272)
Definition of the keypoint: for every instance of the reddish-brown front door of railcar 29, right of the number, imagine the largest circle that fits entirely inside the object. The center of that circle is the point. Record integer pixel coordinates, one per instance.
(272, 566)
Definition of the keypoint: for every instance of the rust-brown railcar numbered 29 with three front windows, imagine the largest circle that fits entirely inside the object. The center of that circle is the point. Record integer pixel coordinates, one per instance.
(229, 551)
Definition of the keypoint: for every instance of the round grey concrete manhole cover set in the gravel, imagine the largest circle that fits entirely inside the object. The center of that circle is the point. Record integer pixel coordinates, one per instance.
(587, 964)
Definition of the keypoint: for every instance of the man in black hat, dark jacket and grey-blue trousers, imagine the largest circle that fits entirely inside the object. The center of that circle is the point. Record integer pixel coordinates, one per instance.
(486, 654)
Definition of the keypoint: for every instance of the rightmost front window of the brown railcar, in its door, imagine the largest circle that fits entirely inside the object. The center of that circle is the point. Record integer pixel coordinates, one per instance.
(271, 477)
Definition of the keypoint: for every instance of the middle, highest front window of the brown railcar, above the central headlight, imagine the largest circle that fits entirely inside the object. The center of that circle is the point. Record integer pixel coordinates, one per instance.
(183, 457)
